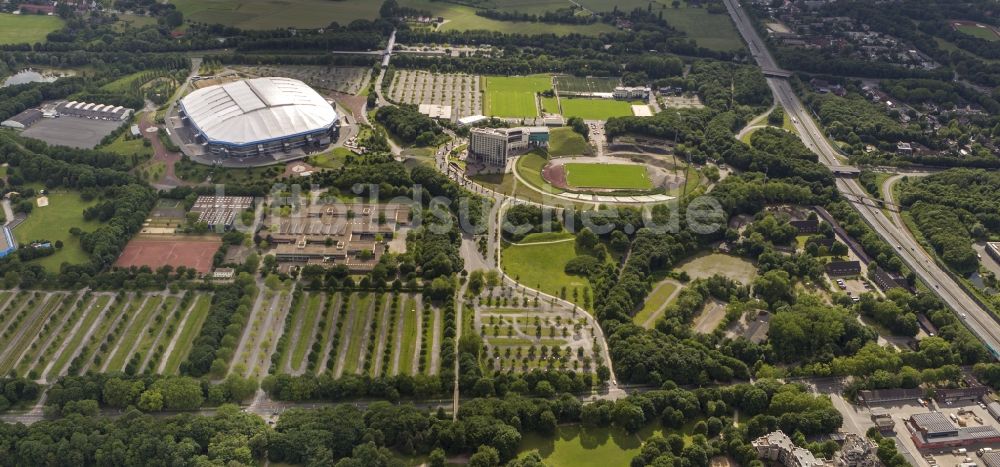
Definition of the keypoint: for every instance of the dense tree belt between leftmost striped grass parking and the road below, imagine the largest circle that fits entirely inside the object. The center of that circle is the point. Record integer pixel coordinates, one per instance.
(149, 393)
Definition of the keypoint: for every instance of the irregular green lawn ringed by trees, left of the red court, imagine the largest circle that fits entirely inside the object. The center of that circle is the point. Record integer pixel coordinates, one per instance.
(52, 223)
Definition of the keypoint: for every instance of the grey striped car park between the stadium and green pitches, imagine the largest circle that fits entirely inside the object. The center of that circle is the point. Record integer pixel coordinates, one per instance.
(461, 92)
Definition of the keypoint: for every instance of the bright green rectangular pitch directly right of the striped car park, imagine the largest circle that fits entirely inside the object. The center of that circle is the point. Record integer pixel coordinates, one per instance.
(514, 96)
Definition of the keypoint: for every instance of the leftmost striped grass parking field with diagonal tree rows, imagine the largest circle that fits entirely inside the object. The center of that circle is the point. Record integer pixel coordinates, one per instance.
(46, 335)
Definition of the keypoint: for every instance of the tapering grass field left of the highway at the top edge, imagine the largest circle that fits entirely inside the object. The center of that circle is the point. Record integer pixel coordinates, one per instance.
(714, 32)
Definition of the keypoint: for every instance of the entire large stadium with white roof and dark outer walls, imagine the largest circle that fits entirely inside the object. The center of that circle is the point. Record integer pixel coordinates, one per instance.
(260, 116)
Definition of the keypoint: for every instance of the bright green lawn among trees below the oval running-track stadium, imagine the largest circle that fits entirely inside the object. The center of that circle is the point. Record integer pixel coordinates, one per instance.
(541, 266)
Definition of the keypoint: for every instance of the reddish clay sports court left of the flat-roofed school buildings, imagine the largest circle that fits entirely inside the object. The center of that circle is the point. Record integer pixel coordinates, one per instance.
(193, 254)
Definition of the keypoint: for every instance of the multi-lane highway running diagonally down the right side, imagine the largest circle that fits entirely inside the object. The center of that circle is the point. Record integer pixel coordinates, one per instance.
(976, 318)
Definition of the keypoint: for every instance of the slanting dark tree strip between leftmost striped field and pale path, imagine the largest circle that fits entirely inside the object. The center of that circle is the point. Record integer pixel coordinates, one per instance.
(216, 342)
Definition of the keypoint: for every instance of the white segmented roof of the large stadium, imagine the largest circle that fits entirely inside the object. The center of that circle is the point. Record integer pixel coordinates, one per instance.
(257, 110)
